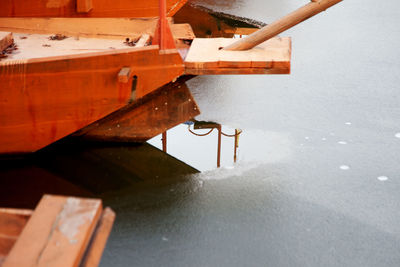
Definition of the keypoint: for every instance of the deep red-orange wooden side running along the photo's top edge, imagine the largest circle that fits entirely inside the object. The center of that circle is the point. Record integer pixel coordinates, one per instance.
(101, 8)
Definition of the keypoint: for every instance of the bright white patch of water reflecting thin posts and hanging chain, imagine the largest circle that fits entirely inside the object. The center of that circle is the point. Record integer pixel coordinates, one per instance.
(202, 146)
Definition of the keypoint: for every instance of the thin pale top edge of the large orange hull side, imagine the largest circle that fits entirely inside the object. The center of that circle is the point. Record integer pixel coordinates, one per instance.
(76, 56)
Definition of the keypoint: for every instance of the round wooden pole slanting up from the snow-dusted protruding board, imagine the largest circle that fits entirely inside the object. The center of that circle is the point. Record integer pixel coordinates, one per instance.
(275, 28)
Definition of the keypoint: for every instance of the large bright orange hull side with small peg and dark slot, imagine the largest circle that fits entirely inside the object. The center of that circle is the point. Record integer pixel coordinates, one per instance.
(43, 100)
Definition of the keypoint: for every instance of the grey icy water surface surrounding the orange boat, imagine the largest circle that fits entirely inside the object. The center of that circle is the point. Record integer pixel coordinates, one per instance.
(318, 177)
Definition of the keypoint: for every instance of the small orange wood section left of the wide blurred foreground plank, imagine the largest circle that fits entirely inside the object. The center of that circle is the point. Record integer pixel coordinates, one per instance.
(12, 222)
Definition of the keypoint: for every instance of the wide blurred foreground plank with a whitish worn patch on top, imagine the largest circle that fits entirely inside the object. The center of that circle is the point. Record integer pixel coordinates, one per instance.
(57, 233)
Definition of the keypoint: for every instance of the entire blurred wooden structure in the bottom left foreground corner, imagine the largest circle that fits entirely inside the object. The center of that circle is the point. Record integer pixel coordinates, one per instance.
(61, 231)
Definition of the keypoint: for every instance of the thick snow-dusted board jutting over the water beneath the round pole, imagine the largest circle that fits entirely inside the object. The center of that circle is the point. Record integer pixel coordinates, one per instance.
(206, 57)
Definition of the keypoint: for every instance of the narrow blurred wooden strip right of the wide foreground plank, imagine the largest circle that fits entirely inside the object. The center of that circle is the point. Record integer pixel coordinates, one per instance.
(97, 244)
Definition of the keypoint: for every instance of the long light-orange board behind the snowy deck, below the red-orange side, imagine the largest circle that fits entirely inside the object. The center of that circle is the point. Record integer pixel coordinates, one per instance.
(110, 28)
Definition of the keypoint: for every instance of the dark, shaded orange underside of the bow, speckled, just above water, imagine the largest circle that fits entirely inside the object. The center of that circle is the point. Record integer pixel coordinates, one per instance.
(147, 117)
